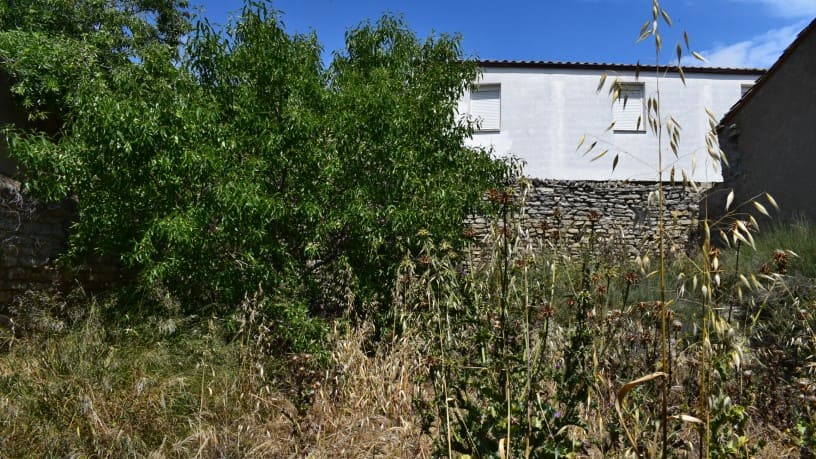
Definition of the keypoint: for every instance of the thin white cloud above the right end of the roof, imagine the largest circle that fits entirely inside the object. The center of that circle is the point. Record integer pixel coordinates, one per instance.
(758, 52)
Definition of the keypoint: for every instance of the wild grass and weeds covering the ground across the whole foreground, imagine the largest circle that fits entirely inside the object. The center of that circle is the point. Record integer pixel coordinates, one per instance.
(531, 351)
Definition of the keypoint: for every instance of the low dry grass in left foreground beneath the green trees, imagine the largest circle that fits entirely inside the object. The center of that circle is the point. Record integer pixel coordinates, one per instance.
(93, 390)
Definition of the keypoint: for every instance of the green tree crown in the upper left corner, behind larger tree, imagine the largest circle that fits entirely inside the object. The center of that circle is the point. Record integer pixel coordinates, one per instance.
(47, 46)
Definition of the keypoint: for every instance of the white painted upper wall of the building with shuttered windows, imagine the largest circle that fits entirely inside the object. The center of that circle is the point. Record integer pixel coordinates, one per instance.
(546, 108)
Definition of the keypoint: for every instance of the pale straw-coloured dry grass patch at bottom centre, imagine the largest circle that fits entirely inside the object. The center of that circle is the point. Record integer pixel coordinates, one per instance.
(365, 406)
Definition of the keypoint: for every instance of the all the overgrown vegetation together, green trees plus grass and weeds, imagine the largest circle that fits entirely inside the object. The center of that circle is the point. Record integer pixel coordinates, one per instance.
(304, 287)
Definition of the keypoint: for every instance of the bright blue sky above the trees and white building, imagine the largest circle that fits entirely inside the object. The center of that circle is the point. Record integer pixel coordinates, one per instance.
(729, 33)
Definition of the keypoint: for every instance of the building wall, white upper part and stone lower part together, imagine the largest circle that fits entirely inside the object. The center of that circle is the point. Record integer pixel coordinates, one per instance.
(546, 108)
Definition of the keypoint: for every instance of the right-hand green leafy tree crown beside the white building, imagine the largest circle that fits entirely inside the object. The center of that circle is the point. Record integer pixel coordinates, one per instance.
(402, 163)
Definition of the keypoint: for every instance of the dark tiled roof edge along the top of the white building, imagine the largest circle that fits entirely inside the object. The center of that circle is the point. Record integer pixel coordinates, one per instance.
(608, 66)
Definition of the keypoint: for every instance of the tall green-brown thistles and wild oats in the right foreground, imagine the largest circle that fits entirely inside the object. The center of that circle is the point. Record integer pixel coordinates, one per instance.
(540, 351)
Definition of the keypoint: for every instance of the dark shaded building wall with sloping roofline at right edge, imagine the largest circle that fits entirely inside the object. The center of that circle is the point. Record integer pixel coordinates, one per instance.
(770, 136)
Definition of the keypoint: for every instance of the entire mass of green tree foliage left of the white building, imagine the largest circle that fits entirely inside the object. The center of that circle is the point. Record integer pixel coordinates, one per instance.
(244, 162)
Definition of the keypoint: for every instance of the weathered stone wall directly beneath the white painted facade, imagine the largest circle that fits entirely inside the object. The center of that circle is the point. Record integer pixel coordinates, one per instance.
(621, 216)
